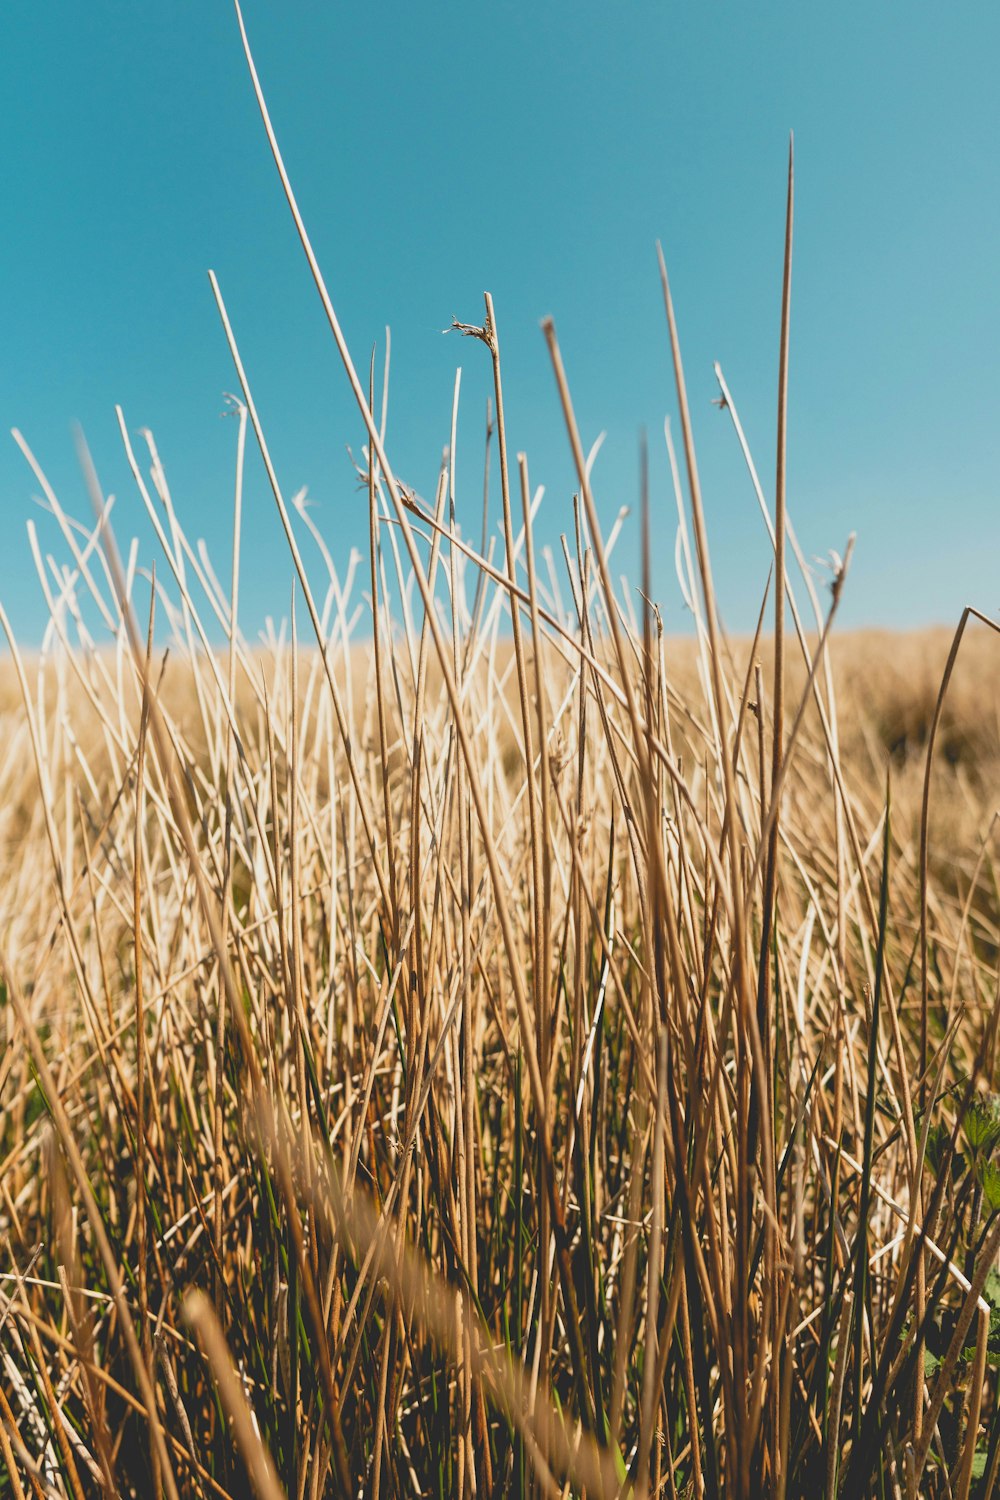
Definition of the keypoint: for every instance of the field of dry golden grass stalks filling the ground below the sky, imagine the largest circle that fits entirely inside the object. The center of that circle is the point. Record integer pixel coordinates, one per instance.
(469, 1063)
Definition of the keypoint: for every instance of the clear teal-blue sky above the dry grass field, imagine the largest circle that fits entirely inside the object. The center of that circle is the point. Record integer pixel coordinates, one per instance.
(534, 151)
